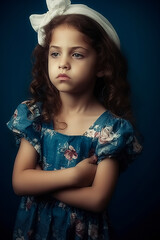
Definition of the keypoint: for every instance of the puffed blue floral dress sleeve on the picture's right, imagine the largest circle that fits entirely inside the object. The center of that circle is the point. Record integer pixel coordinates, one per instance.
(118, 141)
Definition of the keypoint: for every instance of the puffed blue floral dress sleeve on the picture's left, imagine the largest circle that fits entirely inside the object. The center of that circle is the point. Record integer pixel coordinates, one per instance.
(25, 123)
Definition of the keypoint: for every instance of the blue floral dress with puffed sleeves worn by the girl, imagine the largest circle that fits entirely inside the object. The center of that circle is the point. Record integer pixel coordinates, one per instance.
(44, 218)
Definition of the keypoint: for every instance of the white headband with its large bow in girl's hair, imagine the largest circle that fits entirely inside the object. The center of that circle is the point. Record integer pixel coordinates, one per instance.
(64, 7)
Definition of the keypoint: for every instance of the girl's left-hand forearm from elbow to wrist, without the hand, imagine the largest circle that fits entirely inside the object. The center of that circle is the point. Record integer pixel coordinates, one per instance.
(34, 181)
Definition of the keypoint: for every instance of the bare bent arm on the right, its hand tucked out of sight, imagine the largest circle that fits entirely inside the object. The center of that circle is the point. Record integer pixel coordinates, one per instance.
(96, 197)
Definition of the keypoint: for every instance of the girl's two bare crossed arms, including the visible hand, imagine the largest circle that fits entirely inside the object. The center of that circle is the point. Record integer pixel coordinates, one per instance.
(85, 186)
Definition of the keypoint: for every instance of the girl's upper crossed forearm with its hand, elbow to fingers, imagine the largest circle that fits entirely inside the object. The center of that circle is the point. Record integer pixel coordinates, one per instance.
(36, 181)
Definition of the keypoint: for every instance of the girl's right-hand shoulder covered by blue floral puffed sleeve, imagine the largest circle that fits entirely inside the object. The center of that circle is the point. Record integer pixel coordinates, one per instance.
(117, 138)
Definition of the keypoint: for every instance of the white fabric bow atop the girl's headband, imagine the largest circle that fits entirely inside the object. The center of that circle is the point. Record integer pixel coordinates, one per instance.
(38, 21)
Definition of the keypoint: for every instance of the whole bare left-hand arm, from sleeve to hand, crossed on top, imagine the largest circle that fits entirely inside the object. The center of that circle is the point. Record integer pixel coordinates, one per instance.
(29, 180)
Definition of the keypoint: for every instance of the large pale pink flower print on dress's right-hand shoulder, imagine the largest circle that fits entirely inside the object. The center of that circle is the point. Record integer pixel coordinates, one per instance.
(106, 135)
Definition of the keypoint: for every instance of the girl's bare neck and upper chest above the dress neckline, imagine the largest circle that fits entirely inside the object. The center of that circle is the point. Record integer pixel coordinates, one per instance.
(77, 114)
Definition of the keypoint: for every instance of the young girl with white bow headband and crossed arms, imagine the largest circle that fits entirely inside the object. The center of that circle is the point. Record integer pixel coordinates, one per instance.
(75, 136)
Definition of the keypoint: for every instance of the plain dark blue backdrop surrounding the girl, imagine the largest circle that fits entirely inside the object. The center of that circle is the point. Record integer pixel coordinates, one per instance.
(135, 206)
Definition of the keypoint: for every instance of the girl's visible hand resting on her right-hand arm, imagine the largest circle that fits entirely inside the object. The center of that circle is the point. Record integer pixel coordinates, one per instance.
(85, 172)
